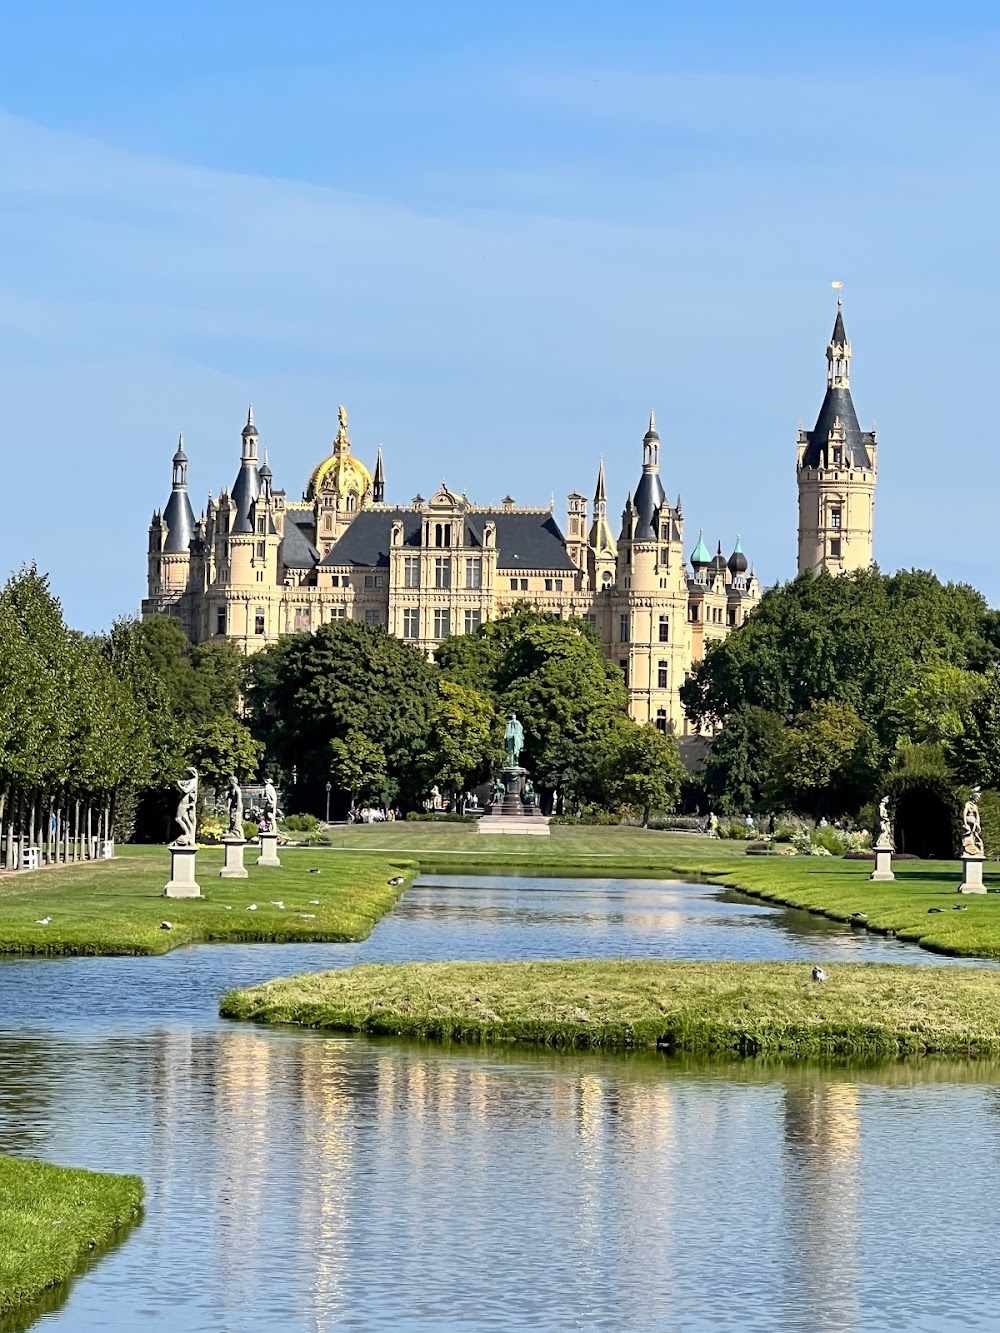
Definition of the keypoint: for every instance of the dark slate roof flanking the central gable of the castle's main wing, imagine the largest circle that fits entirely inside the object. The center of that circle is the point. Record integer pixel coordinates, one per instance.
(525, 541)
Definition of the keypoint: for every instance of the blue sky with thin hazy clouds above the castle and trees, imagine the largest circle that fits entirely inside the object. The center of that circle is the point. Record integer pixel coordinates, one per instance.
(499, 235)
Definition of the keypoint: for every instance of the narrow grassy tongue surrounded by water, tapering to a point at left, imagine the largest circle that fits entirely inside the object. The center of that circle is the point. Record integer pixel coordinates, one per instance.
(866, 1011)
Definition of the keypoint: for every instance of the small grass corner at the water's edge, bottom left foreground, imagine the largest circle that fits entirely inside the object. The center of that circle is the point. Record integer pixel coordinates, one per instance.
(51, 1220)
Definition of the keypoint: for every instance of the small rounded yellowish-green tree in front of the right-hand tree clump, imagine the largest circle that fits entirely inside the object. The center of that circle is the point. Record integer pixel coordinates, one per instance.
(827, 762)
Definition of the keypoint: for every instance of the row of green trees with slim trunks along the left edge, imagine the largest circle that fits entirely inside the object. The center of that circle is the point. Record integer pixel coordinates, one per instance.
(93, 728)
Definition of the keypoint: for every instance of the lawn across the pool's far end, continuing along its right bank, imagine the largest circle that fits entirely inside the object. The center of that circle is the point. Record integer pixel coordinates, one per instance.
(918, 907)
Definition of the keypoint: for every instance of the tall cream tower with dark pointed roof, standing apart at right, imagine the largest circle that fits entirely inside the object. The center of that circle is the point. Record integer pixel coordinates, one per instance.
(837, 473)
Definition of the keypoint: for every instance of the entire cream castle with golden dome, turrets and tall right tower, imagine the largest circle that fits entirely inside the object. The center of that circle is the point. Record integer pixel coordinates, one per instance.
(258, 566)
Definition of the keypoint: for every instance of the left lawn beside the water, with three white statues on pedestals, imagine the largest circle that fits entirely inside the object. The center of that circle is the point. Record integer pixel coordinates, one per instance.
(117, 907)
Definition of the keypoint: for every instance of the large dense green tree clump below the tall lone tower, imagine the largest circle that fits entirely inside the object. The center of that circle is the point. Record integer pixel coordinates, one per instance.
(834, 686)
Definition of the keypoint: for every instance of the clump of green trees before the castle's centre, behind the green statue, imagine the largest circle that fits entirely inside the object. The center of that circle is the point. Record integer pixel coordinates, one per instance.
(367, 712)
